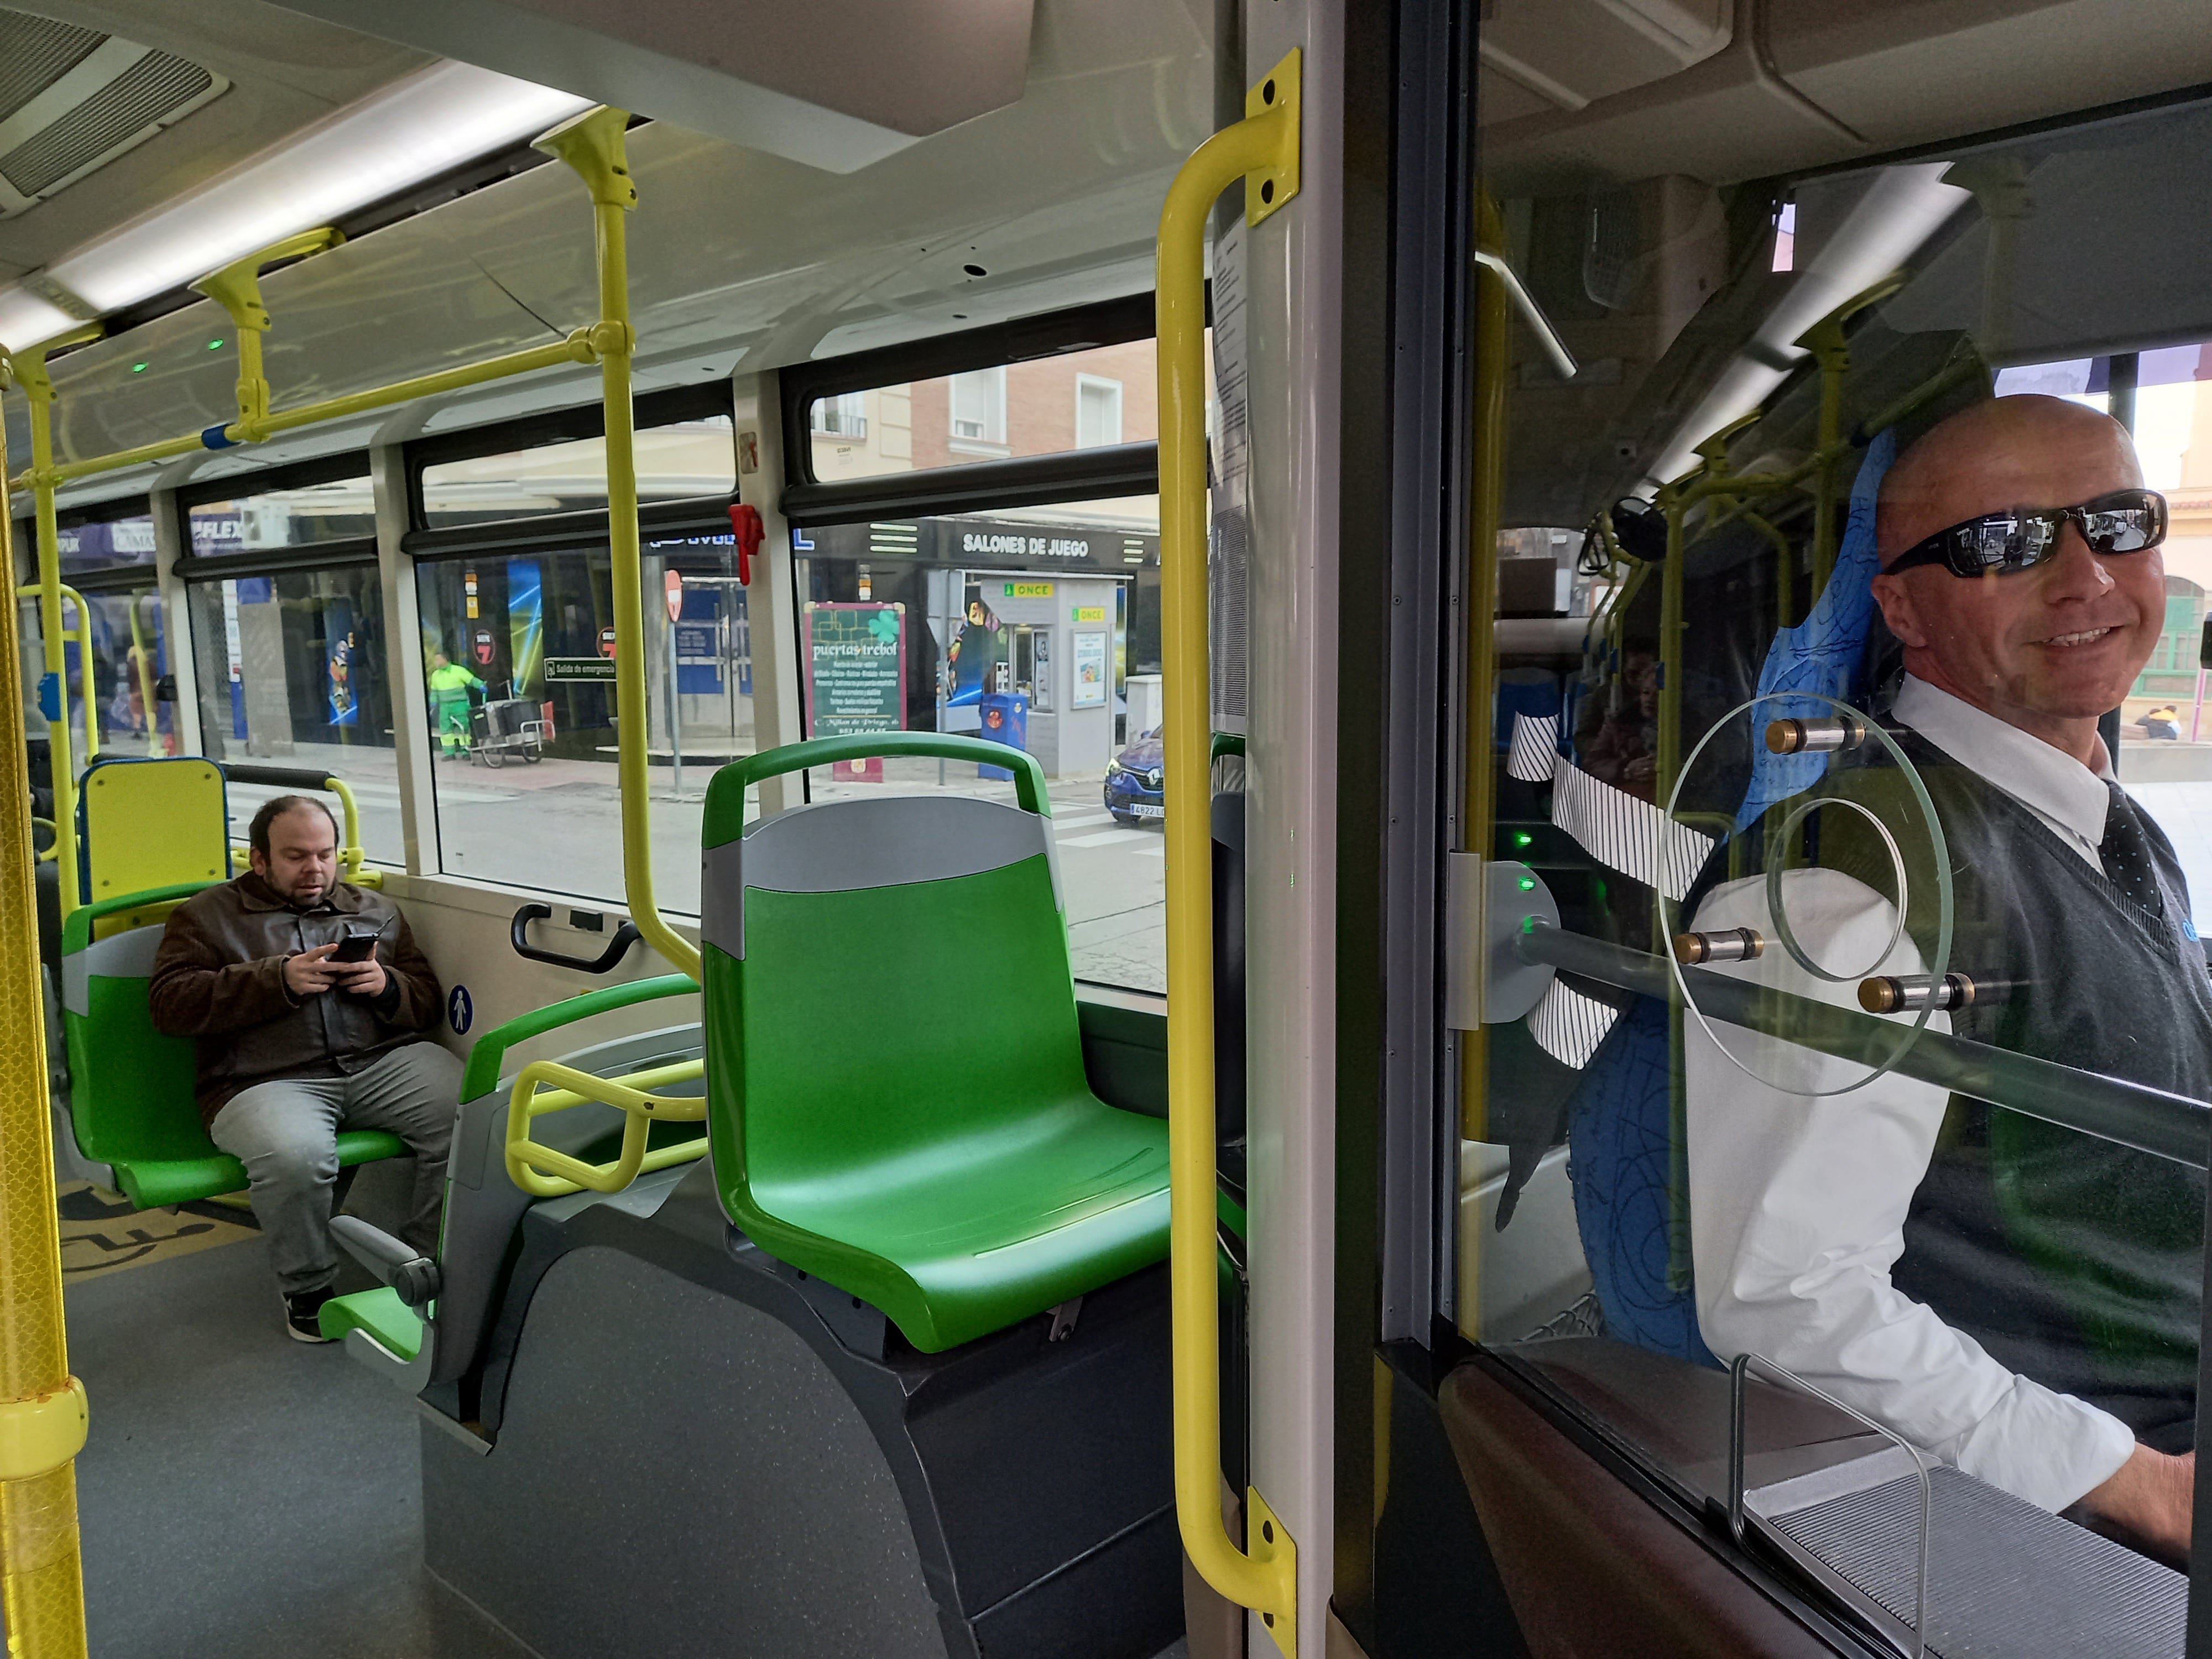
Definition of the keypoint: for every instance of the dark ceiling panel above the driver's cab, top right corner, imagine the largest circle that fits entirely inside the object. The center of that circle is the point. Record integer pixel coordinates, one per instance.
(1817, 85)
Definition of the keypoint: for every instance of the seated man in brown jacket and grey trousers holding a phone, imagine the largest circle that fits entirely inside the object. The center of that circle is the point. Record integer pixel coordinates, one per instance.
(298, 1045)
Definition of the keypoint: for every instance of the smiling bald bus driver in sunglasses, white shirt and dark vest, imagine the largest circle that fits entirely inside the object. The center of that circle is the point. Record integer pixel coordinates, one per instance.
(2014, 1297)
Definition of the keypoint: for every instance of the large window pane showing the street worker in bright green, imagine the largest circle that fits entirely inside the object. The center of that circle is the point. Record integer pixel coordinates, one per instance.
(521, 658)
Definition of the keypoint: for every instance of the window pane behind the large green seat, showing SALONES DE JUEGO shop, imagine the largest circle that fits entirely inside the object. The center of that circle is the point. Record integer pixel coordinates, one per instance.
(1036, 627)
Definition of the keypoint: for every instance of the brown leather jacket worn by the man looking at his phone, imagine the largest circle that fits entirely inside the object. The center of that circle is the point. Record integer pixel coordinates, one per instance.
(220, 979)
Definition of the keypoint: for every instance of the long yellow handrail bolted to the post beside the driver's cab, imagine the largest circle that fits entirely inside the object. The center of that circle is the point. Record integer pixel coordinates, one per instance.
(1264, 152)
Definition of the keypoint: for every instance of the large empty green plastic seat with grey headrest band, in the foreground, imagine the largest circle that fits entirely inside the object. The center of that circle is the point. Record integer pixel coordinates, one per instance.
(893, 1052)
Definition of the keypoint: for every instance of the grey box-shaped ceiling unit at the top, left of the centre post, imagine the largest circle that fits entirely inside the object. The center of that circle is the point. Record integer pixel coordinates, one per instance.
(833, 85)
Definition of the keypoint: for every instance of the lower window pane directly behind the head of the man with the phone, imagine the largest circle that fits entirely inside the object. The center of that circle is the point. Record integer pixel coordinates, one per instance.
(293, 674)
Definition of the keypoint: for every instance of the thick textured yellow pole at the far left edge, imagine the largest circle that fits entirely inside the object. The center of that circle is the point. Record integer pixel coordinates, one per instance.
(41, 1406)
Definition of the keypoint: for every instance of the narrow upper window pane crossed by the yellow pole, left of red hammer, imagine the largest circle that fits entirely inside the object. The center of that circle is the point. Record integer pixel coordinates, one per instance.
(678, 461)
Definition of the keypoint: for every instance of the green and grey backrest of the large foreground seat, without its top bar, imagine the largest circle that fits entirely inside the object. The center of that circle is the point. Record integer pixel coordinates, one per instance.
(906, 979)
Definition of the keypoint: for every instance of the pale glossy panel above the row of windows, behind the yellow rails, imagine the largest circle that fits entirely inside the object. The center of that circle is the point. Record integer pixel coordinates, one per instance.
(733, 251)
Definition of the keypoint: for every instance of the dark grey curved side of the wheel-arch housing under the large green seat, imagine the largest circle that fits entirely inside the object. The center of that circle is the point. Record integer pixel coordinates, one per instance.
(744, 1479)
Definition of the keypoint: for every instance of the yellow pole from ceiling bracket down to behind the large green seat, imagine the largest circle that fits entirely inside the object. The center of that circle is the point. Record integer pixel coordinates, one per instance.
(592, 145)
